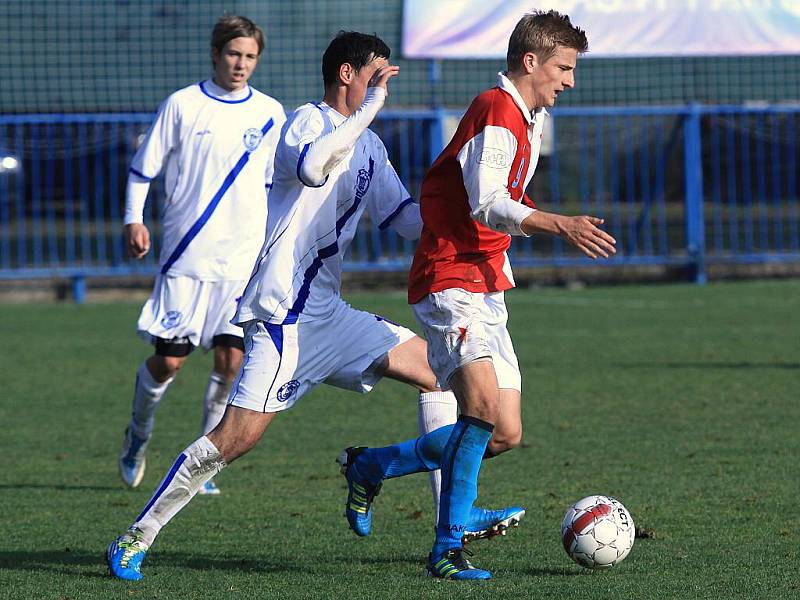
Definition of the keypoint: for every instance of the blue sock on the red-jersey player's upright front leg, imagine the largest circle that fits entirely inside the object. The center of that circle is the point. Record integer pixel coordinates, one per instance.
(460, 465)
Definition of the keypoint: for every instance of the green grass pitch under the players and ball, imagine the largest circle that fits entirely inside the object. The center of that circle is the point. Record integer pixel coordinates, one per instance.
(680, 401)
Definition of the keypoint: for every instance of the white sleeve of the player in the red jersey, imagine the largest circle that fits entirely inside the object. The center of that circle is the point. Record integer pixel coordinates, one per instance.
(485, 165)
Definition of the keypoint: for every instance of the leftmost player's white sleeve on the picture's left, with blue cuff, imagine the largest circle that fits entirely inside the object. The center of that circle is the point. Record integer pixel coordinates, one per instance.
(161, 138)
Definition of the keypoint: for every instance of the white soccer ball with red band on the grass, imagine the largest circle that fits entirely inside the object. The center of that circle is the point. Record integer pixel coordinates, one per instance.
(597, 532)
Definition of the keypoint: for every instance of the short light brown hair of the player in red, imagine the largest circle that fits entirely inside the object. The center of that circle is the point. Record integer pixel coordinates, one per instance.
(542, 32)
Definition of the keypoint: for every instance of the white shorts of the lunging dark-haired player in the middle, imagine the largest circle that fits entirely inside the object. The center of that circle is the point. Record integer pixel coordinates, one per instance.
(284, 362)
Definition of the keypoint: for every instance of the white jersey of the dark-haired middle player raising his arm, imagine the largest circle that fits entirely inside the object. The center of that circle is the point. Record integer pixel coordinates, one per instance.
(311, 223)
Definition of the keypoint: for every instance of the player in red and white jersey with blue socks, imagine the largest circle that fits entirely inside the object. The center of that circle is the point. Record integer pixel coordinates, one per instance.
(473, 200)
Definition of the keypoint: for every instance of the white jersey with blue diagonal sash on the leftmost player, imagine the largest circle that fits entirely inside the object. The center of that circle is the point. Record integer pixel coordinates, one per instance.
(217, 149)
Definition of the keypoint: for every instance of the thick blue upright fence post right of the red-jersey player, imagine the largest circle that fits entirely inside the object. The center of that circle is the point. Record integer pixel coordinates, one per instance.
(693, 167)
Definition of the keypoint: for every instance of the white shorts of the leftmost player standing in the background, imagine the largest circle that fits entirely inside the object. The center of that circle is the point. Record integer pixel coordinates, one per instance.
(183, 307)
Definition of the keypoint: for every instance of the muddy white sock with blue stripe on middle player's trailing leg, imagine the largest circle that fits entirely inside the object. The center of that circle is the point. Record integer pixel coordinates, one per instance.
(195, 465)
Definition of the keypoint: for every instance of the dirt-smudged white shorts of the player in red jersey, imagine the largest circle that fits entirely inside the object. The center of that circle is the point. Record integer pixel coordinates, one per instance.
(462, 327)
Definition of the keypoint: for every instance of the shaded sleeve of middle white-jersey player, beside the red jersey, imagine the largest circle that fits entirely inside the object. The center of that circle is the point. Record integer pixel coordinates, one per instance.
(390, 204)
